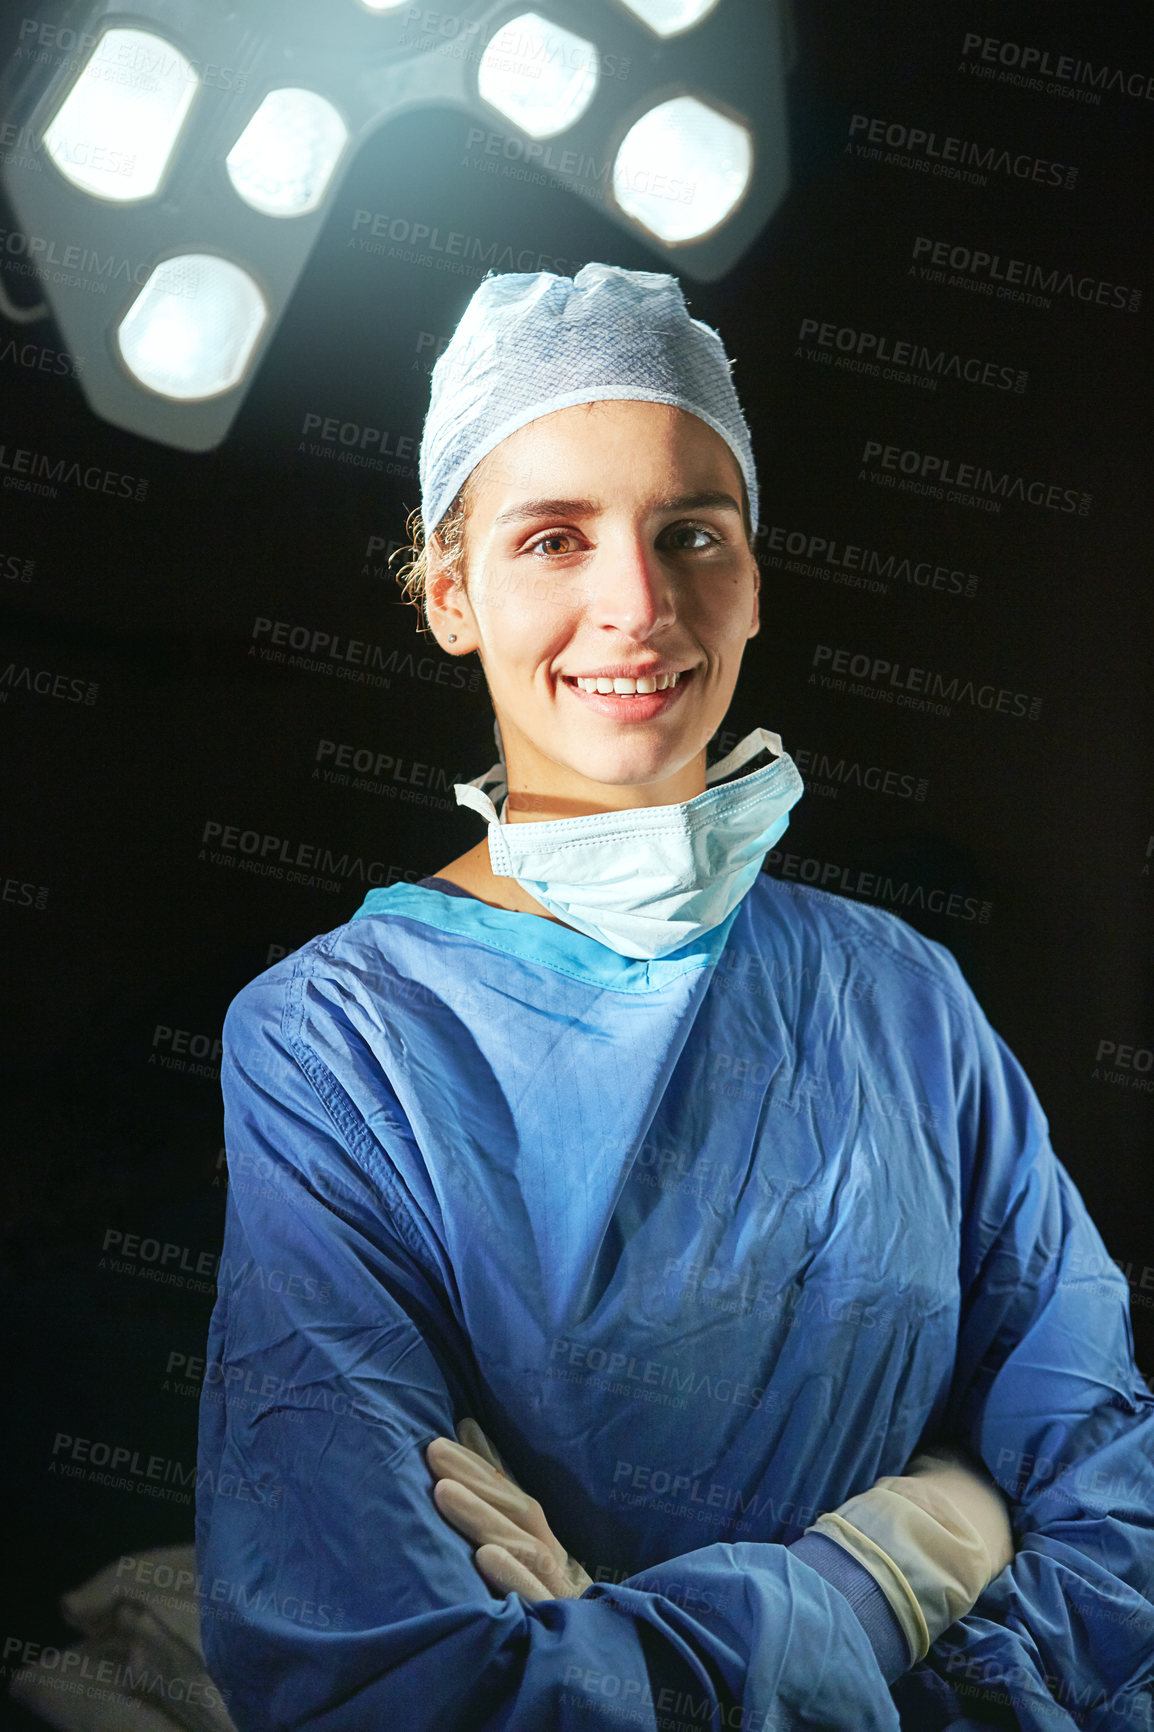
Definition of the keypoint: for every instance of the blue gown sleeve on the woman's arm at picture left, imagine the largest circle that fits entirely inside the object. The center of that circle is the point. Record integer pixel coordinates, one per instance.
(334, 1594)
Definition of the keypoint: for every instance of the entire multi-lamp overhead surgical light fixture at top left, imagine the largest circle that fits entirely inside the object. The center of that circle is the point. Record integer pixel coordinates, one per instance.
(190, 155)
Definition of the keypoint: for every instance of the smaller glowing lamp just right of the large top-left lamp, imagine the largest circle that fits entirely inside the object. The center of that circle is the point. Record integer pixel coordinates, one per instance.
(285, 158)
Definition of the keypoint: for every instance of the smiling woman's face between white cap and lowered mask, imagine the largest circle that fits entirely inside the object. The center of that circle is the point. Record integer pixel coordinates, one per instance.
(606, 543)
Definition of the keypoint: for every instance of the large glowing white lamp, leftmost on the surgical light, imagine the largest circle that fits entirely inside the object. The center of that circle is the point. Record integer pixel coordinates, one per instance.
(117, 129)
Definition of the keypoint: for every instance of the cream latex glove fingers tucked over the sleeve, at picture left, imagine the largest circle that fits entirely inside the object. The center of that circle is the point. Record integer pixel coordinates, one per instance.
(517, 1551)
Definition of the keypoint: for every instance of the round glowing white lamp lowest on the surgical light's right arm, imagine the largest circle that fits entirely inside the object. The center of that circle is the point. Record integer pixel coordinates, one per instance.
(684, 169)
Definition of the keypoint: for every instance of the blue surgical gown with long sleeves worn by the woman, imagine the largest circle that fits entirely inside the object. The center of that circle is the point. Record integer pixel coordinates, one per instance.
(706, 1244)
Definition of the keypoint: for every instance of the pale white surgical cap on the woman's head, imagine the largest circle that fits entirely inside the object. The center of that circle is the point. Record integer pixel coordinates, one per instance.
(529, 344)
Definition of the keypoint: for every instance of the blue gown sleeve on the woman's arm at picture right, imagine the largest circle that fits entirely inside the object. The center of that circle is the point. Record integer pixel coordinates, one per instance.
(1046, 1392)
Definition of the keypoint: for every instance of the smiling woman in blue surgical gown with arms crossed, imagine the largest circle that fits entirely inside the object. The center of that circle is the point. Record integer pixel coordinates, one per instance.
(639, 1270)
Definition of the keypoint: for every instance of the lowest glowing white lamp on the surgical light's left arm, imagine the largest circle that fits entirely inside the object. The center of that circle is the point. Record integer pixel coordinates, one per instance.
(193, 326)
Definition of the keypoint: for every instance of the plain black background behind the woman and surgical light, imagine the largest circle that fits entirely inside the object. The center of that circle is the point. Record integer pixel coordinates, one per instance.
(1049, 822)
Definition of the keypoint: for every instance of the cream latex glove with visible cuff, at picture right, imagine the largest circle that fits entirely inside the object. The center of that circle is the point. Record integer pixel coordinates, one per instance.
(933, 1539)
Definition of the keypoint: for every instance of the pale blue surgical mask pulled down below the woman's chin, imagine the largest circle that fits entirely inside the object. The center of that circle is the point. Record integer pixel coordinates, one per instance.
(649, 881)
